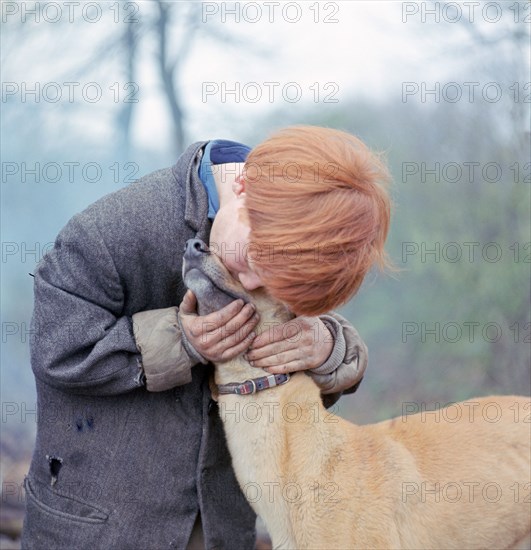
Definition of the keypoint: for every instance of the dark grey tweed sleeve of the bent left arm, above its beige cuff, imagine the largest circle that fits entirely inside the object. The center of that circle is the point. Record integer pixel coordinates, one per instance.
(82, 343)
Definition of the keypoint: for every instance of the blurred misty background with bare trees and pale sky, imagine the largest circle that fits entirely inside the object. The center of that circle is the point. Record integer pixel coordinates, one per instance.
(98, 94)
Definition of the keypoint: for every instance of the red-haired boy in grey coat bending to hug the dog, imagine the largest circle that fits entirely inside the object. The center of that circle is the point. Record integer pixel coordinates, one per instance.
(130, 450)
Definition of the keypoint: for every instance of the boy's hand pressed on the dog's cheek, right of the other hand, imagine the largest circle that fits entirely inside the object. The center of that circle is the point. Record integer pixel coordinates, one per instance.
(300, 344)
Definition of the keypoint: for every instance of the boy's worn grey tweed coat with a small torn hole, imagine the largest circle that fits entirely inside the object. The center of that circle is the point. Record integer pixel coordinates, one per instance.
(116, 465)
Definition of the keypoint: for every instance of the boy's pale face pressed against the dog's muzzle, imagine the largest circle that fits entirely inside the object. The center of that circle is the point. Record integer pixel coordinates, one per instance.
(229, 239)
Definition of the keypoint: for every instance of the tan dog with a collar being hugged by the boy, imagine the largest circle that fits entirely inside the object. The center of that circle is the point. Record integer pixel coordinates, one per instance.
(457, 479)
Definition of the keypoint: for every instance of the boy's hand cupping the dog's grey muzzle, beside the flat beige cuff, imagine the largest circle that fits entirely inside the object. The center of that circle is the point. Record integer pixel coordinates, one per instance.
(220, 335)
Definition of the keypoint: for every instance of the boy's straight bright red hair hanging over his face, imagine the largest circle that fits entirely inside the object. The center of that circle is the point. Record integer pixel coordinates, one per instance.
(319, 215)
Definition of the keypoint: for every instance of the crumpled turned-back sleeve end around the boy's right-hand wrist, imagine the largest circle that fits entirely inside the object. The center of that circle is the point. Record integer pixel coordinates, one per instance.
(343, 371)
